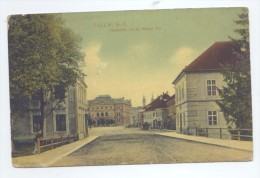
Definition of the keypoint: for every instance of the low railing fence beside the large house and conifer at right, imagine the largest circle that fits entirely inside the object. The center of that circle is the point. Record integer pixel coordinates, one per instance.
(235, 134)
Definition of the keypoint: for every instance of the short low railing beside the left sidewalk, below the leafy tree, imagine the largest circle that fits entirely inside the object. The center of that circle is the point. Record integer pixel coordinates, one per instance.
(44, 144)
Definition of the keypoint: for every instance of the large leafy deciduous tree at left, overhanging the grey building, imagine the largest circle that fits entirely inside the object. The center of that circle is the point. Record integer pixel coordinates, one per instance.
(44, 60)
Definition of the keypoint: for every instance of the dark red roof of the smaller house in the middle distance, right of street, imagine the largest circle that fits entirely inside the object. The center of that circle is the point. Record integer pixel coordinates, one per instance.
(159, 102)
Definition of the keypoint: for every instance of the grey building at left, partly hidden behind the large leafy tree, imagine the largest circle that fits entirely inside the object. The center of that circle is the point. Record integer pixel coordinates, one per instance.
(61, 118)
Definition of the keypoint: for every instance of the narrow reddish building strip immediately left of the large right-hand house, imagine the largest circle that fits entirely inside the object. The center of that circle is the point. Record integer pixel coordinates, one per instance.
(171, 117)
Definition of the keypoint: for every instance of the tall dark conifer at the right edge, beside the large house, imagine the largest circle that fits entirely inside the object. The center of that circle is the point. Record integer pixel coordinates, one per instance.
(236, 95)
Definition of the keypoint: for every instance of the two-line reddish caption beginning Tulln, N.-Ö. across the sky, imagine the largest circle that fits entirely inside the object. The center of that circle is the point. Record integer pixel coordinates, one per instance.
(124, 27)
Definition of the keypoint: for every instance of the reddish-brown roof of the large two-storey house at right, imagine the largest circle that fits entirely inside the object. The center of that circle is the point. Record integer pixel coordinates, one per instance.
(220, 53)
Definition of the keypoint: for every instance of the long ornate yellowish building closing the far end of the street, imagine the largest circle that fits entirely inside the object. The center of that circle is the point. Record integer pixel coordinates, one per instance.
(105, 110)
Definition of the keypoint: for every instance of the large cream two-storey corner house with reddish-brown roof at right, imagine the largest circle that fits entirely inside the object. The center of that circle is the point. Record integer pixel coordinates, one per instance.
(196, 90)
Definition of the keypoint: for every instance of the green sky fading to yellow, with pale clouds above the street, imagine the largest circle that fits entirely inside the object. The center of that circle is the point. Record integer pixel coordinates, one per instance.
(132, 54)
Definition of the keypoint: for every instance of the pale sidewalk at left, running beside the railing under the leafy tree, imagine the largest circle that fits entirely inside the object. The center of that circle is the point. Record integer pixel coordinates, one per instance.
(47, 158)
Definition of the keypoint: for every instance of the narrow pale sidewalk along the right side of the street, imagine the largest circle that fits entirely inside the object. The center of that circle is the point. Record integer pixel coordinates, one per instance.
(240, 145)
